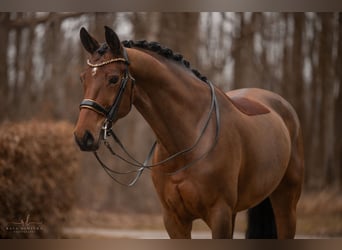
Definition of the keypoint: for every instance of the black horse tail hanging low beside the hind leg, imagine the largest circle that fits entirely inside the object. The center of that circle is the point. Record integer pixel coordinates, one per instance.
(261, 221)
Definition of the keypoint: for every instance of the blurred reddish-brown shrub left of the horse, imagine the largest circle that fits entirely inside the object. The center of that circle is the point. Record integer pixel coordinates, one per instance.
(38, 166)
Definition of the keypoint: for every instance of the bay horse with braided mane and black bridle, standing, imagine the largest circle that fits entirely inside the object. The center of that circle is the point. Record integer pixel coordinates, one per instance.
(216, 154)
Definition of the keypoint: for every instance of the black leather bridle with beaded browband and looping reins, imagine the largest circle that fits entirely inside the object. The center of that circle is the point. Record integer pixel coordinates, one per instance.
(111, 113)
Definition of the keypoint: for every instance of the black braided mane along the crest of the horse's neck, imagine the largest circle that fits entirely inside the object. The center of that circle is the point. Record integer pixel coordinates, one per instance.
(165, 52)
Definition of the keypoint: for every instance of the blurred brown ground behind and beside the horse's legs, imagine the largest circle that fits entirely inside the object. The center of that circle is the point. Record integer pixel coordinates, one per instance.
(319, 215)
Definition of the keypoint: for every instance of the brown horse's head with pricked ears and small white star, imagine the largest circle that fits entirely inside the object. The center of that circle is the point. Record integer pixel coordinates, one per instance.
(108, 89)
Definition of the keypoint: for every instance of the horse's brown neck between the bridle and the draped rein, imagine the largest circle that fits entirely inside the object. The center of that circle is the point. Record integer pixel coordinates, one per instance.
(173, 101)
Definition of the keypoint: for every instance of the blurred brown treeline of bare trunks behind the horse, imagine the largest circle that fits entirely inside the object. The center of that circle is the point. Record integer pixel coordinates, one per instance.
(298, 55)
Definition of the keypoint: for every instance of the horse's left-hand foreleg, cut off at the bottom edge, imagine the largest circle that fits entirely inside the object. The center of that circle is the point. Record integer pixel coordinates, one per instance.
(177, 228)
